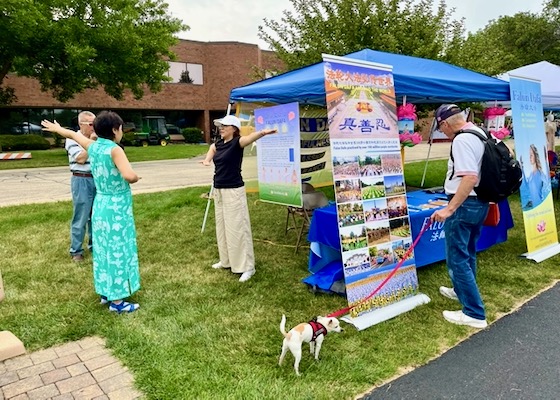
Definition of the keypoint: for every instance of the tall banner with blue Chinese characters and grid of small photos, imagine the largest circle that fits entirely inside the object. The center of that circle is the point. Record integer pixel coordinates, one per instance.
(370, 193)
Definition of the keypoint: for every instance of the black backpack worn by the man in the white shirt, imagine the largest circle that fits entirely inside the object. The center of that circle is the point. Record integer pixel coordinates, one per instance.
(500, 174)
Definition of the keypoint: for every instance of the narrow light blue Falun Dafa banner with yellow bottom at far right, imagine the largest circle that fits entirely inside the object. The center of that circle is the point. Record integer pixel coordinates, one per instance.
(531, 152)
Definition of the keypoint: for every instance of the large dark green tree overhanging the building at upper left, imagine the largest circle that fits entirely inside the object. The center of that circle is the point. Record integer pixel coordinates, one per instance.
(73, 45)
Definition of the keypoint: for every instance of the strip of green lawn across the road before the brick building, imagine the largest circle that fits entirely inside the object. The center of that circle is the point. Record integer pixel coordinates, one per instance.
(59, 158)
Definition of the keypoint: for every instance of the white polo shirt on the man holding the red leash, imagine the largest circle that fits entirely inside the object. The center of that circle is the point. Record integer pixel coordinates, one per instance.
(467, 150)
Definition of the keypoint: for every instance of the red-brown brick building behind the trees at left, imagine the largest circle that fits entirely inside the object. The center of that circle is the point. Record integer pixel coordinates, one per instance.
(213, 69)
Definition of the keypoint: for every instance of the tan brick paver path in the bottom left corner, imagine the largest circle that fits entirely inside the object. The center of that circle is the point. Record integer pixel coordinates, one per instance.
(77, 370)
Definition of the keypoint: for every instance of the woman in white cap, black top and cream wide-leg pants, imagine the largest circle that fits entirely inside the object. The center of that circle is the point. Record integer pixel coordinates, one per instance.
(233, 226)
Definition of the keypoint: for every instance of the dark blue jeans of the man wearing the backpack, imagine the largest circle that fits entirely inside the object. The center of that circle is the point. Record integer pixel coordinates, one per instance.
(462, 231)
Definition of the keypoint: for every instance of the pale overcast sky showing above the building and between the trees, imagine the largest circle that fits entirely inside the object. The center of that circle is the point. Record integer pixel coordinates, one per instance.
(238, 21)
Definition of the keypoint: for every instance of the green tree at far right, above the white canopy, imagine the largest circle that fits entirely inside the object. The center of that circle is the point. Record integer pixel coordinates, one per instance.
(511, 42)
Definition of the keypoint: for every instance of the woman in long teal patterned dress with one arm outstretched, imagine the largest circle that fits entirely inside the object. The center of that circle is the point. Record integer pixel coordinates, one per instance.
(115, 254)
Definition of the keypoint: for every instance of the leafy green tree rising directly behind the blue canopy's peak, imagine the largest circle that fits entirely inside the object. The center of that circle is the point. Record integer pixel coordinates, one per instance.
(340, 27)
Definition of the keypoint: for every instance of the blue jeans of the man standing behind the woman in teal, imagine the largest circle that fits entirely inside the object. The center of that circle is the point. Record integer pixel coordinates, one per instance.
(83, 193)
